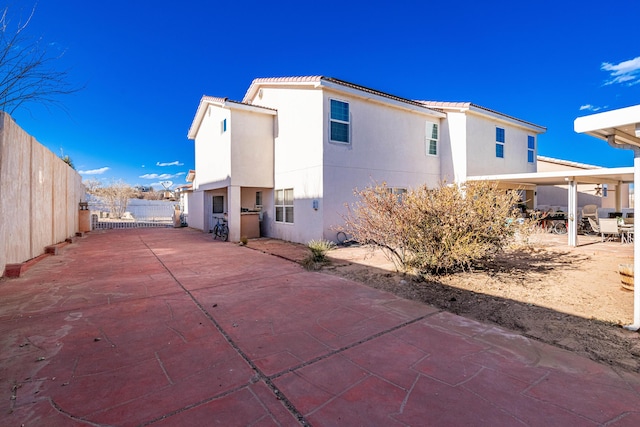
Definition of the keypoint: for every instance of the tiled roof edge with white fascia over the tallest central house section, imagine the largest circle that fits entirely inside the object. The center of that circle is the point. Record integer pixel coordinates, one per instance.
(336, 84)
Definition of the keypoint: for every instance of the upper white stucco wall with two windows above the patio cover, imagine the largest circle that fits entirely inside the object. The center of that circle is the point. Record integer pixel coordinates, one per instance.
(481, 147)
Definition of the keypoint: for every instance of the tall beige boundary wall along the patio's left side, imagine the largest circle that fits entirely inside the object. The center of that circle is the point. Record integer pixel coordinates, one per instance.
(39, 196)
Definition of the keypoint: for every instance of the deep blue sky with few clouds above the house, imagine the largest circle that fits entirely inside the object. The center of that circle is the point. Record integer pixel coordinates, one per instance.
(146, 64)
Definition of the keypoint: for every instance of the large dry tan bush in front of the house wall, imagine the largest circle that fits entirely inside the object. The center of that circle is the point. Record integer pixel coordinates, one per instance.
(436, 230)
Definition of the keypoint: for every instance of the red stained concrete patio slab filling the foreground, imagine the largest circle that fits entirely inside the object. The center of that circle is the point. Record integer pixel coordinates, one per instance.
(167, 327)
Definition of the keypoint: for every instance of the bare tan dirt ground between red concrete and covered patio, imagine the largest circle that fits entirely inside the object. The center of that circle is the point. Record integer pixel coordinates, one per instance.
(571, 298)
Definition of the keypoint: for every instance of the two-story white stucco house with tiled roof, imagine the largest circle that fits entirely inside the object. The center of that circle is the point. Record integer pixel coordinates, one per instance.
(293, 150)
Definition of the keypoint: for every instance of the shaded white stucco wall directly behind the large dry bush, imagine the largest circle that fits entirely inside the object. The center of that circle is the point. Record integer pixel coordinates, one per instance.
(388, 144)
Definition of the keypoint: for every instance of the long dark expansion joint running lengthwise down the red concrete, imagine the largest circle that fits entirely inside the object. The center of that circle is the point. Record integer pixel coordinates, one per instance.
(261, 376)
